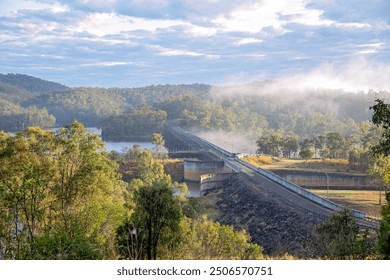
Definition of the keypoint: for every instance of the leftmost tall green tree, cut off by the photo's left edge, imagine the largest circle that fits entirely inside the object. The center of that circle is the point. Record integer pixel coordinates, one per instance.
(26, 172)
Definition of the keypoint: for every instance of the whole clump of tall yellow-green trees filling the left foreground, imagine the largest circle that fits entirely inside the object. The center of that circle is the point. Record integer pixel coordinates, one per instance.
(56, 187)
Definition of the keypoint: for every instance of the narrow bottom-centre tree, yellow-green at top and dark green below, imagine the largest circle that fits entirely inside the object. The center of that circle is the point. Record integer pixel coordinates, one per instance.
(157, 211)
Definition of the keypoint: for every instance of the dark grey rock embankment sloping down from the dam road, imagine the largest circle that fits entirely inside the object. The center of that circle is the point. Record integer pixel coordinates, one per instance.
(271, 222)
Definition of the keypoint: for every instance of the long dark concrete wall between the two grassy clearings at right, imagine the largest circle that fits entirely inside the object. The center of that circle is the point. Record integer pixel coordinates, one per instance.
(320, 180)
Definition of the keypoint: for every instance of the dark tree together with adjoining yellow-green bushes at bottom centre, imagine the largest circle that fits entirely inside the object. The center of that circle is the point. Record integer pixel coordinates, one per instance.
(158, 229)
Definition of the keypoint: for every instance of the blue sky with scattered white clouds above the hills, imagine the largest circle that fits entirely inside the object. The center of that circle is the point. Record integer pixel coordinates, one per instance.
(117, 43)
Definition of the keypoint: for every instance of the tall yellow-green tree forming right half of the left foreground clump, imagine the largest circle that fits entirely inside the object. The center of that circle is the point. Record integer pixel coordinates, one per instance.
(88, 189)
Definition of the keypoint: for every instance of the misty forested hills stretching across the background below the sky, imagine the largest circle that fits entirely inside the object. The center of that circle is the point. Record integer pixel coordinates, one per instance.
(134, 113)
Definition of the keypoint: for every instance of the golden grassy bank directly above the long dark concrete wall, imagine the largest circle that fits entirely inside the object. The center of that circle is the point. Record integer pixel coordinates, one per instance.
(327, 165)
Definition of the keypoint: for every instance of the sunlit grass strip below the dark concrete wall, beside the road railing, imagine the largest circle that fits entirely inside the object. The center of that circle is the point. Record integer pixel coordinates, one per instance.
(366, 201)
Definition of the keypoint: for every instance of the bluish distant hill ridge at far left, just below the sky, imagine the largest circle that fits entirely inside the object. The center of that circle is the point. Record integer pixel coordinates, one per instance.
(31, 84)
